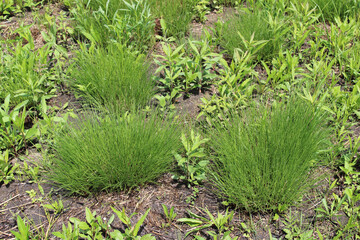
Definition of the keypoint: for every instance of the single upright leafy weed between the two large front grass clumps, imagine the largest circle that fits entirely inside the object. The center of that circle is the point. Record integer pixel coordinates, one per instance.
(191, 169)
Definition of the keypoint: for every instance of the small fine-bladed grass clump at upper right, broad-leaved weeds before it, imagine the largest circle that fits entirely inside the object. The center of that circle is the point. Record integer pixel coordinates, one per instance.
(251, 31)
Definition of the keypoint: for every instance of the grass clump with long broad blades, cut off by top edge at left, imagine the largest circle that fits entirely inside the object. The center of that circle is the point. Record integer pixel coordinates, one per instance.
(104, 22)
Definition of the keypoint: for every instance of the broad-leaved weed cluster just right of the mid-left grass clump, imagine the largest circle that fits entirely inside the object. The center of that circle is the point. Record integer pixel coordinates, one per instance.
(186, 70)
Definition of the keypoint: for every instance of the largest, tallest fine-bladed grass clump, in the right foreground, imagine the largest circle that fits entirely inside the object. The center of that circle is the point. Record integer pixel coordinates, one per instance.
(264, 156)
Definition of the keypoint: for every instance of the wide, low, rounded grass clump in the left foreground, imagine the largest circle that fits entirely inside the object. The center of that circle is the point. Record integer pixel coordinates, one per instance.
(113, 153)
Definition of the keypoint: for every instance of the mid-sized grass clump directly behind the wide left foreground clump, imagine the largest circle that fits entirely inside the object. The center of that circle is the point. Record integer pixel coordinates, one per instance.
(113, 78)
